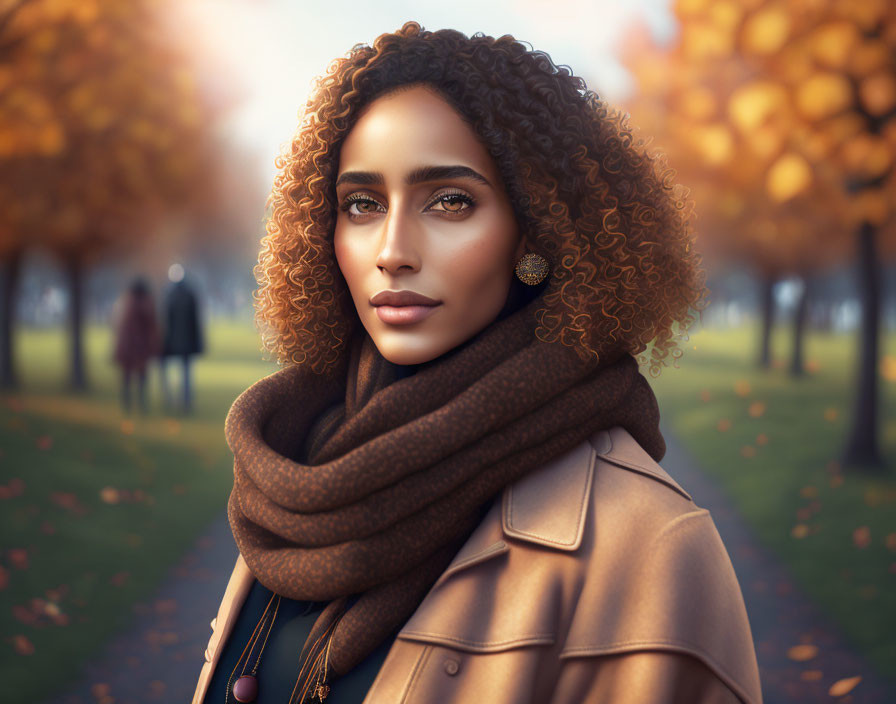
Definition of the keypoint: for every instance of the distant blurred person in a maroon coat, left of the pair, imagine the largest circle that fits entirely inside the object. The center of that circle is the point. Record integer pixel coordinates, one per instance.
(137, 340)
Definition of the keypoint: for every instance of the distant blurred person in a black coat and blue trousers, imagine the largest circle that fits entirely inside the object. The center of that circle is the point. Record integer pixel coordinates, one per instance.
(183, 334)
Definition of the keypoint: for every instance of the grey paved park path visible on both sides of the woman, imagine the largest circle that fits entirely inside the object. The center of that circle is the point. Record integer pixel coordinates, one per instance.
(157, 659)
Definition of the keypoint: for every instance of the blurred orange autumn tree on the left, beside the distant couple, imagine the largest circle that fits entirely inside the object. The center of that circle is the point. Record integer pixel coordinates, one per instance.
(104, 133)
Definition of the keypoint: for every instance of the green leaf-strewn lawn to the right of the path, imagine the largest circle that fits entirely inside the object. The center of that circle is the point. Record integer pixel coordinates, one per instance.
(773, 443)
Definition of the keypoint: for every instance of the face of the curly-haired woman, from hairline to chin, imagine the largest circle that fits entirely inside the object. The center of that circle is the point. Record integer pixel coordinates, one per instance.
(422, 213)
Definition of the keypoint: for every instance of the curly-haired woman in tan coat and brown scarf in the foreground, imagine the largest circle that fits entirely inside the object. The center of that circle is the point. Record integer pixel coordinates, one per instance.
(451, 491)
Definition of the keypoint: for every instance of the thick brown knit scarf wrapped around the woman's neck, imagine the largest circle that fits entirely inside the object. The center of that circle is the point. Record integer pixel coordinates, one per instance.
(358, 489)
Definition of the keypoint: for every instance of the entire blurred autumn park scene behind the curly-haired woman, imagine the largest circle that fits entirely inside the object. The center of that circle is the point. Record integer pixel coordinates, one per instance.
(137, 147)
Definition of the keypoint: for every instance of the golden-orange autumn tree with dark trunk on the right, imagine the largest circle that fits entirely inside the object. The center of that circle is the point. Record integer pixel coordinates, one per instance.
(781, 112)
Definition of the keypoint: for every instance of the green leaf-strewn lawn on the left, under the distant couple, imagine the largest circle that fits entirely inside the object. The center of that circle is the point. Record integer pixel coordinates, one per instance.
(96, 506)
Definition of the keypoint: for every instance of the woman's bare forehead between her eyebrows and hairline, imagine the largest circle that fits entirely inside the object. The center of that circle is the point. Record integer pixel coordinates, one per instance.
(410, 128)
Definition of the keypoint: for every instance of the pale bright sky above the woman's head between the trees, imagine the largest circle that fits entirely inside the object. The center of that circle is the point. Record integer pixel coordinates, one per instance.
(273, 49)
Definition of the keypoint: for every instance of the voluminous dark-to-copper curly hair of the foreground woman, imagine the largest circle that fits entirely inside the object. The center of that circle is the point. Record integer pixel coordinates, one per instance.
(588, 196)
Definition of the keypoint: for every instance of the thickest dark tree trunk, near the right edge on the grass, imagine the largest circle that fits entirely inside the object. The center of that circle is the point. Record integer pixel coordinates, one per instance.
(862, 444)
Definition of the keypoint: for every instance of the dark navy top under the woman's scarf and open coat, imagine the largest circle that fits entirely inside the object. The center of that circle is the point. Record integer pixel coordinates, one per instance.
(279, 667)
